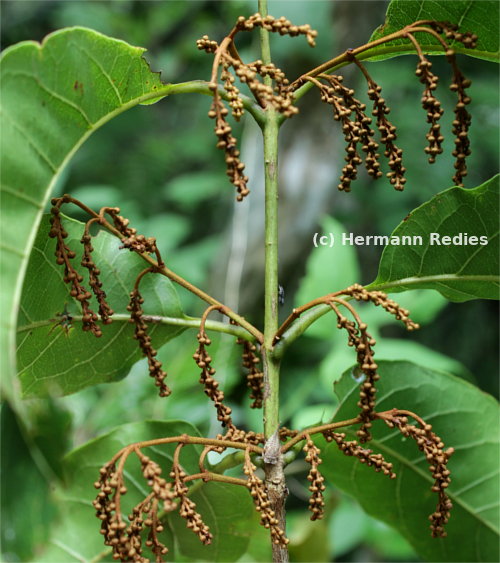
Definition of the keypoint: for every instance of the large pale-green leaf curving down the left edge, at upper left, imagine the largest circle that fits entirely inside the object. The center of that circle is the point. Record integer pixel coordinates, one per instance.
(54, 96)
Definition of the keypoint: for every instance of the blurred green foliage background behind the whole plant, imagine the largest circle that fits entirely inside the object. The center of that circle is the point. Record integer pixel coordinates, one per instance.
(159, 164)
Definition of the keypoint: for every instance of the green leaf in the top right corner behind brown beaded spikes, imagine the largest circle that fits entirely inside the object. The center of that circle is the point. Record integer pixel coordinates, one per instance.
(478, 16)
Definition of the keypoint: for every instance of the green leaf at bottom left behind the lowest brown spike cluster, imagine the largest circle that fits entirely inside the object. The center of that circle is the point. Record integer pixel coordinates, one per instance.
(227, 509)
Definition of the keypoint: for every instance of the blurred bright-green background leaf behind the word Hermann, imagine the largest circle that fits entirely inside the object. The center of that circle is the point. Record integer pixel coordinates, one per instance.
(319, 280)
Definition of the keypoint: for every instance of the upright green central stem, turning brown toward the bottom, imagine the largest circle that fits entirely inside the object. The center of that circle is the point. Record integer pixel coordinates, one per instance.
(273, 458)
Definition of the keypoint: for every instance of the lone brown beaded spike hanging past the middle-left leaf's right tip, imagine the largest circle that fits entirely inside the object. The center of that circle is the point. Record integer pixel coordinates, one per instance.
(144, 339)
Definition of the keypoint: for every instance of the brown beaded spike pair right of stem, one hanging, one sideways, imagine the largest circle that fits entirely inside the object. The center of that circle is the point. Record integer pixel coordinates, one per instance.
(361, 340)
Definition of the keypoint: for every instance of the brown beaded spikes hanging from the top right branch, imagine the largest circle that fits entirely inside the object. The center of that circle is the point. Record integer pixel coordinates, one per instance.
(355, 123)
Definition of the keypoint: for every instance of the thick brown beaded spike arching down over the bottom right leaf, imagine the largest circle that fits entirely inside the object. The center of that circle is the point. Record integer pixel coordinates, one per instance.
(433, 448)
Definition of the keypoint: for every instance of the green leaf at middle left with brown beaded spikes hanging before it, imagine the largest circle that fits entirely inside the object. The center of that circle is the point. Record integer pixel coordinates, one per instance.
(55, 361)
